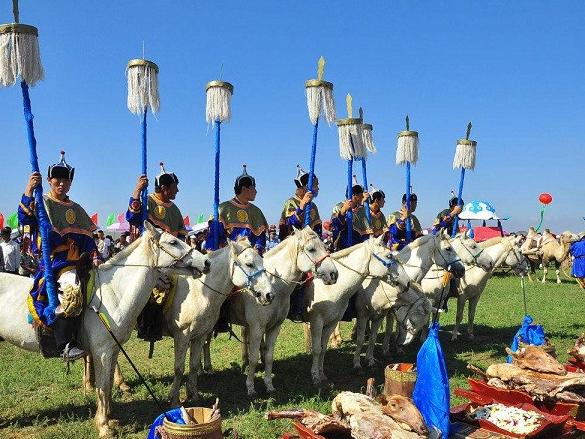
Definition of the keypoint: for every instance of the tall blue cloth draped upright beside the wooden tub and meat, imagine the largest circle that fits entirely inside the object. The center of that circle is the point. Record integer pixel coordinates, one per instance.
(431, 391)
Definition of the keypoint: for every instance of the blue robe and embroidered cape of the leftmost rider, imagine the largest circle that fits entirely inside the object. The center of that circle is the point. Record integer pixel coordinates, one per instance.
(72, 235)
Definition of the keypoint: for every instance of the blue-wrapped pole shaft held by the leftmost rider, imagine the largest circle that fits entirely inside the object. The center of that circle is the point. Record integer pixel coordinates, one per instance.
(43, 218)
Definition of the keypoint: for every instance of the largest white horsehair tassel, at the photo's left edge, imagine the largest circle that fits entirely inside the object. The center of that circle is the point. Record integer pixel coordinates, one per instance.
(20, 56)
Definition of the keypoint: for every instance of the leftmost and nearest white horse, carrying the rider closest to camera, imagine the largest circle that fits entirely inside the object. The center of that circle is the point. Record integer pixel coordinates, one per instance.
(122, 288)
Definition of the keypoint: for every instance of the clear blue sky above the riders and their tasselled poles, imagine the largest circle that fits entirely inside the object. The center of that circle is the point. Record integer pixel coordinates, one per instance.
(516, 69)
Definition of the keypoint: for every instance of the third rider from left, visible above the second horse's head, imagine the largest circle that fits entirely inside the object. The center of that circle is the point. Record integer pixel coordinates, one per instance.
(239, 217)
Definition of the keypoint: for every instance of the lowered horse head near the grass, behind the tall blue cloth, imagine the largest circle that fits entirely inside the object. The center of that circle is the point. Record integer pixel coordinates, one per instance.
(412, 311)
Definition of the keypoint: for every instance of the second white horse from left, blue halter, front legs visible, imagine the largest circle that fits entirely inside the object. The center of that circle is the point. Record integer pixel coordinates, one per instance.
(197, 303)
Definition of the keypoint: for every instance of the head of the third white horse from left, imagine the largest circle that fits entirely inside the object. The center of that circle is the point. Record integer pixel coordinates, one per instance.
(312, 256)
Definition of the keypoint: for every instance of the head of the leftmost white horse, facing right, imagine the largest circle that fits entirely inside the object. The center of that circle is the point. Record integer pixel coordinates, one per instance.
(173, 254)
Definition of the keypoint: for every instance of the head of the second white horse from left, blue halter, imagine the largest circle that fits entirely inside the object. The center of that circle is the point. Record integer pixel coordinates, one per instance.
(247, 271)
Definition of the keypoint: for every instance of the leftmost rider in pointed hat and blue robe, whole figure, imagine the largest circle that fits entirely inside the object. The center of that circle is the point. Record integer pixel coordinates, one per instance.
(70, 237)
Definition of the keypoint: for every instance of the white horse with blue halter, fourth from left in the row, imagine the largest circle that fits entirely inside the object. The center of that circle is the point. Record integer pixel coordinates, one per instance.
(326, 304)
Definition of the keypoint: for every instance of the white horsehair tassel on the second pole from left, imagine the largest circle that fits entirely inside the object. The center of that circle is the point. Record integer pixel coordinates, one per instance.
(142, 86)
